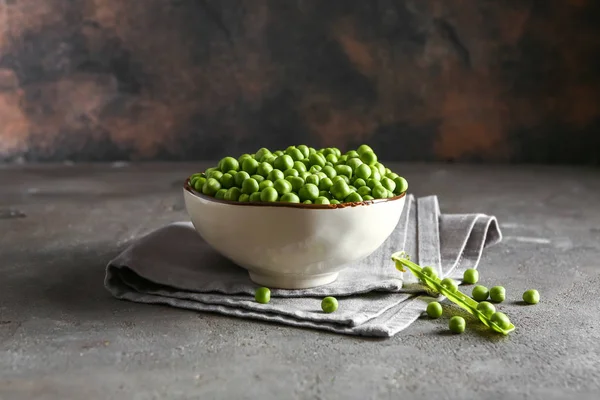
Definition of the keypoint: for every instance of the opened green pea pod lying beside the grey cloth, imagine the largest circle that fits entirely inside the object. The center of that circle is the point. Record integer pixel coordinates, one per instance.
(457, 297)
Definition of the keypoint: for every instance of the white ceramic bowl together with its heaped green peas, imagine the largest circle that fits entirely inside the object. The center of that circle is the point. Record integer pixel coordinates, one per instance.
(295, 218)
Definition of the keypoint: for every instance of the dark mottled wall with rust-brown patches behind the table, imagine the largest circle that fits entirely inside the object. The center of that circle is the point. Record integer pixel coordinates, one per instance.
(461, 80)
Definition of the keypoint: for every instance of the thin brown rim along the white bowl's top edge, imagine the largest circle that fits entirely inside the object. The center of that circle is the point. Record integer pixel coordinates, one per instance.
(188, 188)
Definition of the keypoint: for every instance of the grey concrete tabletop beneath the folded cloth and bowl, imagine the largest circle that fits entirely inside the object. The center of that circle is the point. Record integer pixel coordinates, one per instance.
(62, 336)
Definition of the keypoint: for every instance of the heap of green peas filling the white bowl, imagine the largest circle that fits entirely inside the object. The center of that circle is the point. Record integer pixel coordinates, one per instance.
(301, 174)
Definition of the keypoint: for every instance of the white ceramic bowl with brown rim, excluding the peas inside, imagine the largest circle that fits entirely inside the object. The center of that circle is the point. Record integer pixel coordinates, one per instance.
(293, 246)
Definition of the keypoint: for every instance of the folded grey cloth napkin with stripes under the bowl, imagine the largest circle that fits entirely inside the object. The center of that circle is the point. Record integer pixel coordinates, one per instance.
(173, 265)
